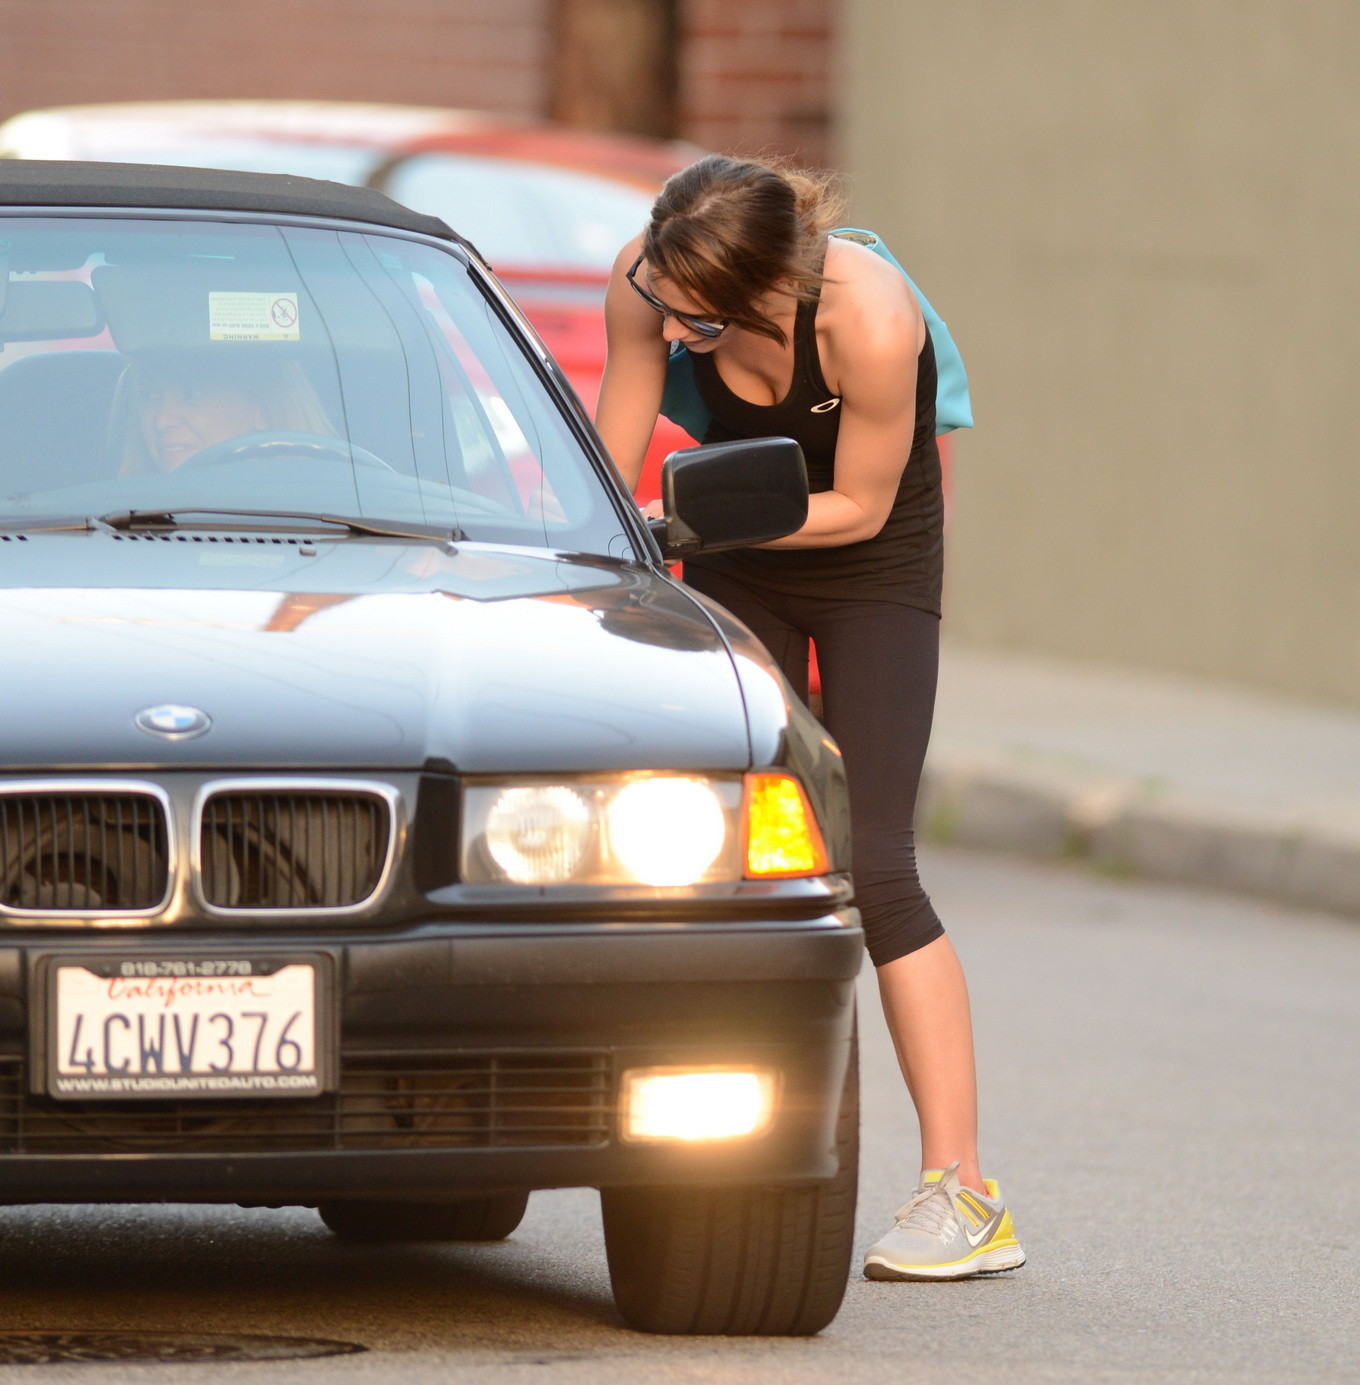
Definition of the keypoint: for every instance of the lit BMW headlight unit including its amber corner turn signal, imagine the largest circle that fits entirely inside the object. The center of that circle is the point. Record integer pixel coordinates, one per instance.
(661, 830)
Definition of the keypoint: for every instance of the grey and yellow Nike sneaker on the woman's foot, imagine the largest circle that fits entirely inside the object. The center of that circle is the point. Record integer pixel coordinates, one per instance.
(947, 1232)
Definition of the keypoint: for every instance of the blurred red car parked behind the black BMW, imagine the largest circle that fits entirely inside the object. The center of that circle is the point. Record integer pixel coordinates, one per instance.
(548, 207)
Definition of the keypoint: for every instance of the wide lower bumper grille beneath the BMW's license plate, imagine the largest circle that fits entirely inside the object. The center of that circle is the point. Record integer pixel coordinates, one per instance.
(429, 1102)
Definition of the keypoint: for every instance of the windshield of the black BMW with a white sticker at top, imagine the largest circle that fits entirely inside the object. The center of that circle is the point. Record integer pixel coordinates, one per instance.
(171, 365)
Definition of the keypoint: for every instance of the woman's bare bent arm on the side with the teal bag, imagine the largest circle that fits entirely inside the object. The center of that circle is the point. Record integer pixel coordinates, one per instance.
(875, 343)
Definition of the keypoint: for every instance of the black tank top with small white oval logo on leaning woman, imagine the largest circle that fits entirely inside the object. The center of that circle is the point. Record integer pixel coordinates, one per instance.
(905, 560)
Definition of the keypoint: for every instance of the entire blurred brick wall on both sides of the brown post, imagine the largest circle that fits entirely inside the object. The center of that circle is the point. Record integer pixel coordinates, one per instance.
(753, 74)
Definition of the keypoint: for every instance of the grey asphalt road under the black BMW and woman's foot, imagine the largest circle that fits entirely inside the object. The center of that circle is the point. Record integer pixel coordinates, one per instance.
(1172, 1102)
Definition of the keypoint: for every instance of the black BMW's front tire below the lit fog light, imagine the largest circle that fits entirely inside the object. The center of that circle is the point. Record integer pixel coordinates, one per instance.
(743, 1262)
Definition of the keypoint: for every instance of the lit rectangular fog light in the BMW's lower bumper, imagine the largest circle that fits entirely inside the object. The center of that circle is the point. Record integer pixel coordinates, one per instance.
(697, 1105)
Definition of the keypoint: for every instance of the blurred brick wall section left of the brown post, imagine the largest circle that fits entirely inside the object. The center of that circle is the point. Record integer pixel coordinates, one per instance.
(463, 53)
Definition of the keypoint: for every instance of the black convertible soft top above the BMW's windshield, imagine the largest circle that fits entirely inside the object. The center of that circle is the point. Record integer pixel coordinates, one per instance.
(69, 184)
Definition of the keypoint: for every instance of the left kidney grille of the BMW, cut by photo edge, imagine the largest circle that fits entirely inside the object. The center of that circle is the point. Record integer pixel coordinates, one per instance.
(84, 852)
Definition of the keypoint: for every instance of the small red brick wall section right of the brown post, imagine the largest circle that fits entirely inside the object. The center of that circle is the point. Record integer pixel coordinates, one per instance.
(758, 75)
